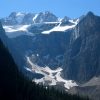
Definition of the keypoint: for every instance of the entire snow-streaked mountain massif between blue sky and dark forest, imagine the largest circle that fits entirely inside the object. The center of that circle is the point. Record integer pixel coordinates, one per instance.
(56, 51)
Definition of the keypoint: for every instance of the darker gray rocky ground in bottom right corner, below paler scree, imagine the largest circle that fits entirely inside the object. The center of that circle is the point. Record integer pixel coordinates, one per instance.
(92, 92)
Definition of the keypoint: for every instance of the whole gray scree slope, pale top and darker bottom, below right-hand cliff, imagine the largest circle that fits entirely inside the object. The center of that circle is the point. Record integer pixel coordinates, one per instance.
(90, 89)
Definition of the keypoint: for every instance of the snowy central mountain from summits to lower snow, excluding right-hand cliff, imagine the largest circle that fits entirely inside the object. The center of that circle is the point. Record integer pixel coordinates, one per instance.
(35, 41)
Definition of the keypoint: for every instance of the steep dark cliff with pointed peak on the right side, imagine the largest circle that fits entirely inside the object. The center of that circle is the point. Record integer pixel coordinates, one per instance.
(82, 57)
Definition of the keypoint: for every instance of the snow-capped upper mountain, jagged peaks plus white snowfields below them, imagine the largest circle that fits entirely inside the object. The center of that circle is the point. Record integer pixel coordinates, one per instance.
(43, 22)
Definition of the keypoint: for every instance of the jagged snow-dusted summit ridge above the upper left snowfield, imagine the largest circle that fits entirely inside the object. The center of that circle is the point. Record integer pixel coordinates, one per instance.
(28, 18)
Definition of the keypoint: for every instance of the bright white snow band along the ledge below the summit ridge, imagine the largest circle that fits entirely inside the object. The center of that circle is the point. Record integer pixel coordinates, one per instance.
(17, 30)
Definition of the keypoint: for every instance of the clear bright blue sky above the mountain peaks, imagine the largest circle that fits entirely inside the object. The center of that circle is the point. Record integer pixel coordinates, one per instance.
(60, 8)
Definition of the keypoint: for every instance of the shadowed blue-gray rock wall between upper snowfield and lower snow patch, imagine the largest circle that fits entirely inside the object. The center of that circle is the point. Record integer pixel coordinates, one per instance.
(48, 49)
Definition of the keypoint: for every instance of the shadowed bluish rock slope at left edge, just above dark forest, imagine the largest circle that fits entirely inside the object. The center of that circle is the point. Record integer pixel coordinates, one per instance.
(13, 48)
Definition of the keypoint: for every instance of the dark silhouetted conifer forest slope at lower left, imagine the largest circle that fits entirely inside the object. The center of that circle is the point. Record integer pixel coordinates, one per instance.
(15, 86)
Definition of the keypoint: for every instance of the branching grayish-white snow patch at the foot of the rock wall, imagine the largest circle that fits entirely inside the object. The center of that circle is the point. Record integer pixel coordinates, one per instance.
(51, 77)
